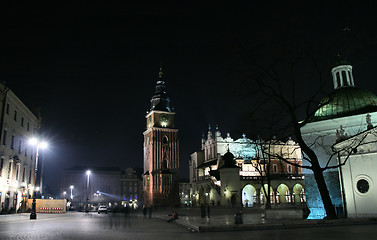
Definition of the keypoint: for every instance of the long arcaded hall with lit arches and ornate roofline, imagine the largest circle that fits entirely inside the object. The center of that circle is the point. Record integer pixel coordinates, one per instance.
(224, 172)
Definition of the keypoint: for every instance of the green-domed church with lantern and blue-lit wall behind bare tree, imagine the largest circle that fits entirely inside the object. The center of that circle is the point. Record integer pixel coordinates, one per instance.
(342, 114)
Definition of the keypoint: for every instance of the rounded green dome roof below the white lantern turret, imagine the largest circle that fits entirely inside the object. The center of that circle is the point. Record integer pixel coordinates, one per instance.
(346, 101)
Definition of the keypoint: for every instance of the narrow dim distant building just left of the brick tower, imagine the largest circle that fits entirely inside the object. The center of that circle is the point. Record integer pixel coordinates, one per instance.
(131, 189)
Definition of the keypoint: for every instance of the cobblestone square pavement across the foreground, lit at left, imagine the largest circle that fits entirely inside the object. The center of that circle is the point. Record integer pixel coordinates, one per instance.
(117, 226)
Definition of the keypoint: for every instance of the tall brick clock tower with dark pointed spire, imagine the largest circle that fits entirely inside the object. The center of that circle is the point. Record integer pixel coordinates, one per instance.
(161, 151)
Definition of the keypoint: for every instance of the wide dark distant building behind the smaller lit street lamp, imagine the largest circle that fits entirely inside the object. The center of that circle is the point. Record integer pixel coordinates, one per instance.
(102, 186)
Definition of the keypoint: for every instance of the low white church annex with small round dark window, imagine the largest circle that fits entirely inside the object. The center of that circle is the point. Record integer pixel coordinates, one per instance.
(357, 174)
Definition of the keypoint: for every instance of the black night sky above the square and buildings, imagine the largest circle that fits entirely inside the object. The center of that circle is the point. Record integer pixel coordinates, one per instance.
(92, 68)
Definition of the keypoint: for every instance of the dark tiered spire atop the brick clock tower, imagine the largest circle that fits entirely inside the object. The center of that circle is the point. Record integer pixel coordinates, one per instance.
(160, 100)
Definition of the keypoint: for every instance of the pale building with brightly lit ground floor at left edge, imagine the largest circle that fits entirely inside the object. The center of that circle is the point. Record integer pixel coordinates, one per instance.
(17, 159)
